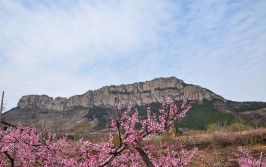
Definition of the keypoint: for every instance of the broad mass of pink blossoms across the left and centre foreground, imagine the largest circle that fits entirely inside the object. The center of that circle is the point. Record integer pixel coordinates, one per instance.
(23, 146)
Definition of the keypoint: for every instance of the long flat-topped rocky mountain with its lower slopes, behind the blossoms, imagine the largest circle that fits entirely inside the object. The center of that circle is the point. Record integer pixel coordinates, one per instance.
(96, 107)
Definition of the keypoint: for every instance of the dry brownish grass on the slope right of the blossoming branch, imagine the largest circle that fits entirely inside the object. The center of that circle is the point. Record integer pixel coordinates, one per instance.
(219, 148)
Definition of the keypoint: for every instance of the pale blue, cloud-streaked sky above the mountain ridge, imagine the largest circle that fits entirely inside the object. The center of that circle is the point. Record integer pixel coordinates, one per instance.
(67, 47)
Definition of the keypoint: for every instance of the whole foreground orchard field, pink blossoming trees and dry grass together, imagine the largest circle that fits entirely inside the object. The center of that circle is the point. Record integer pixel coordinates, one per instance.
(138, 140)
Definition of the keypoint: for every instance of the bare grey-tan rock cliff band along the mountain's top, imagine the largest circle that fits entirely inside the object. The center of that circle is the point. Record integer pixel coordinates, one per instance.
(139, 93)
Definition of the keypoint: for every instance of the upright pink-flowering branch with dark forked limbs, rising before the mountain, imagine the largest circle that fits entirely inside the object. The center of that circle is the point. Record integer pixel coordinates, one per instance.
(132, 137)
